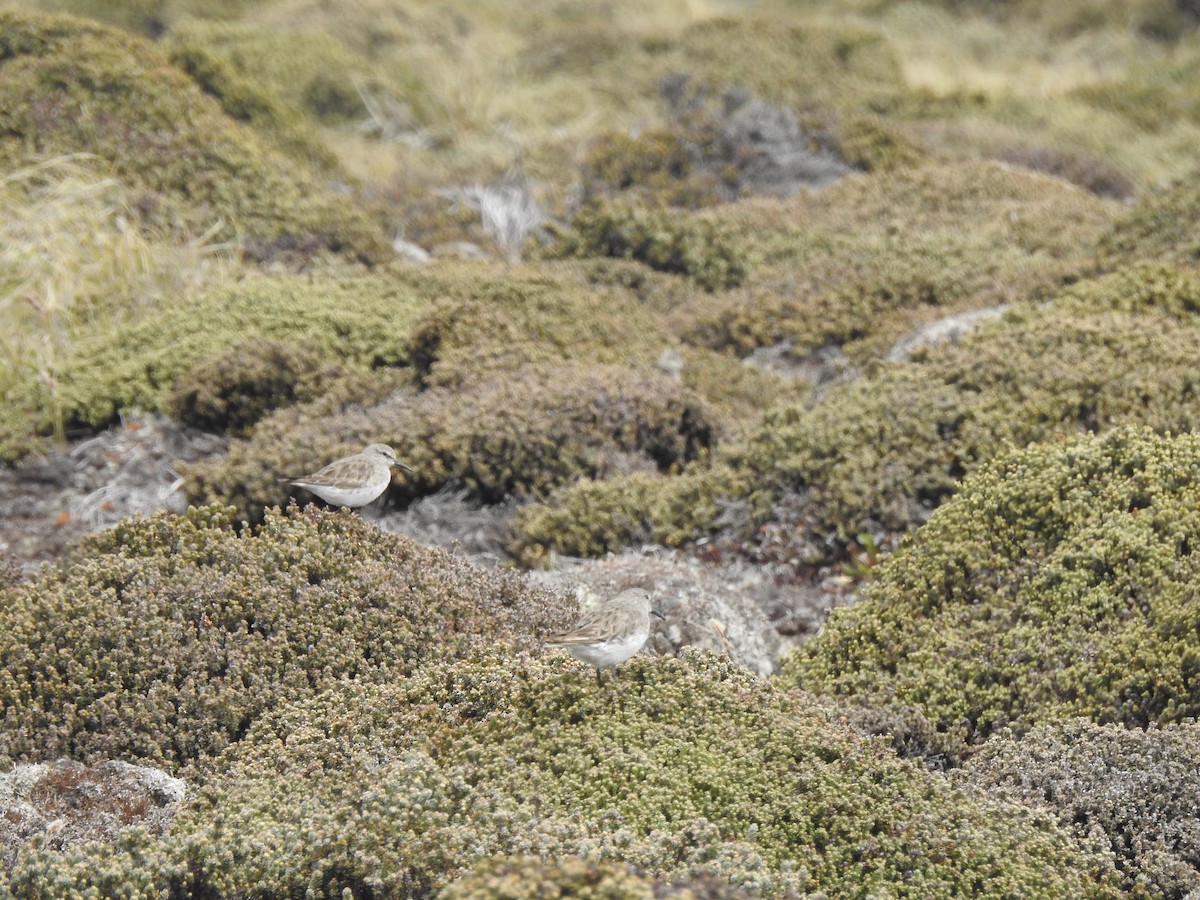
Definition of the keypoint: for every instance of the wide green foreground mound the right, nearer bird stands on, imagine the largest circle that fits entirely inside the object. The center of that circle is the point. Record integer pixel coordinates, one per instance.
(691, 769)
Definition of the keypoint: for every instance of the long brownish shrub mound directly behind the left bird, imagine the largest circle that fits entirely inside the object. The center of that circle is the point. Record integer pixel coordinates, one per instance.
(518, 436)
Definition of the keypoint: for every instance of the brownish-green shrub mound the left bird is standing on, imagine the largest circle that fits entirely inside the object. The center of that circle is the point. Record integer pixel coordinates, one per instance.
(169, 637)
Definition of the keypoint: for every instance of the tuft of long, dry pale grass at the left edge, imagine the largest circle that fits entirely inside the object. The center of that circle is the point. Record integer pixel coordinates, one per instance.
(74, 257)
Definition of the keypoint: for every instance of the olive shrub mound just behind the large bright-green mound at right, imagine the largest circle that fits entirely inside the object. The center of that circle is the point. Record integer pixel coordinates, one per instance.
(895, 445)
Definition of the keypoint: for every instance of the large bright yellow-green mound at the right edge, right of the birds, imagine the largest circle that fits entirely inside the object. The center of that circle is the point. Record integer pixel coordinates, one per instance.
(1059, 583)
